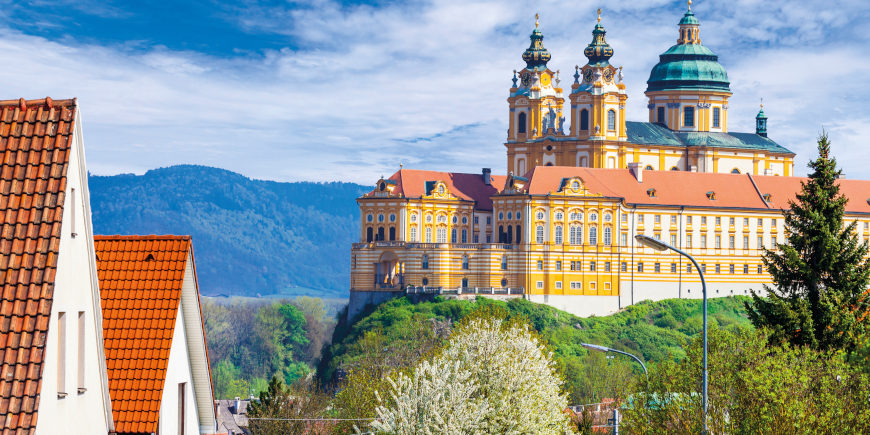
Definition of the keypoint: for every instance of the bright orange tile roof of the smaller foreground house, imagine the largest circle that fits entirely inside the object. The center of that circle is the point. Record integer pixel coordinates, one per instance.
(140, 289)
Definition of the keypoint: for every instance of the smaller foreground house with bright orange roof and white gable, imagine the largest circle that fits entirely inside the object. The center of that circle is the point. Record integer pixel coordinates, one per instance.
(156, 354)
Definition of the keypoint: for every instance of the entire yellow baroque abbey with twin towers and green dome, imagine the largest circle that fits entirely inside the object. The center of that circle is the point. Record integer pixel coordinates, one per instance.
(559, 227)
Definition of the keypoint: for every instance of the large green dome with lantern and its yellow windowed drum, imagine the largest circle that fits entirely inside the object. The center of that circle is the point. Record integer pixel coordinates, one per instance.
(688, 89)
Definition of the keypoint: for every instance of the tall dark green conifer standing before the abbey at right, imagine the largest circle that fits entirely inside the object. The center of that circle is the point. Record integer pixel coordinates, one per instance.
(821, 274)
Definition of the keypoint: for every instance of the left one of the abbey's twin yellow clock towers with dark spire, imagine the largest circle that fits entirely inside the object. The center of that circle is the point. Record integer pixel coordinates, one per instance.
(535, 103)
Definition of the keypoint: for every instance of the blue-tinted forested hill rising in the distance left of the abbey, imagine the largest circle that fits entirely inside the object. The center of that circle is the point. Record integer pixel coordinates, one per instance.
(249, 236)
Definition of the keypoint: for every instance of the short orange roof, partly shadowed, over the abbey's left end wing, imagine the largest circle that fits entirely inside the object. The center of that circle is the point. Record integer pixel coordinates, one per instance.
(412, 184)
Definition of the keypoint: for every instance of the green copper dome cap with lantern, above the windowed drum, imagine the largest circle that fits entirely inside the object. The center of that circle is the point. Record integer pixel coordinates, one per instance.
(688, 65)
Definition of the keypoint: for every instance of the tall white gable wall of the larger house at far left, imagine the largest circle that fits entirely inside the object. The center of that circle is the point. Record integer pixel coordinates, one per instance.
(76, 289)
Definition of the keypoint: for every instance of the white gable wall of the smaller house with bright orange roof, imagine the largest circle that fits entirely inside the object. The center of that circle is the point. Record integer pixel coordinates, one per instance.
(178, 371)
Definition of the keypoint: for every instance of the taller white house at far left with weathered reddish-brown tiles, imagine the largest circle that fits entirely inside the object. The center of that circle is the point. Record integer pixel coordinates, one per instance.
(52, 366)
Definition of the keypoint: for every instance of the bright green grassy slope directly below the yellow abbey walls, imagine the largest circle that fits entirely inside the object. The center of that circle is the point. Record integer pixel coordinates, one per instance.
(652, 330)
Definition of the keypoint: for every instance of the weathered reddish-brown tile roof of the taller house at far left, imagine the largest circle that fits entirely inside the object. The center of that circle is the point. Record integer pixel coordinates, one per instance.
(35, 141)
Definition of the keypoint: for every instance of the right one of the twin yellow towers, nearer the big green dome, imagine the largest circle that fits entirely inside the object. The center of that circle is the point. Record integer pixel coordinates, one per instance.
(598, 96)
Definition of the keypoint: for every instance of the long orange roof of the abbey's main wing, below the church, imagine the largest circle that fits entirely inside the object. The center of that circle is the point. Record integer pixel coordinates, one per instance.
(680, 188)
